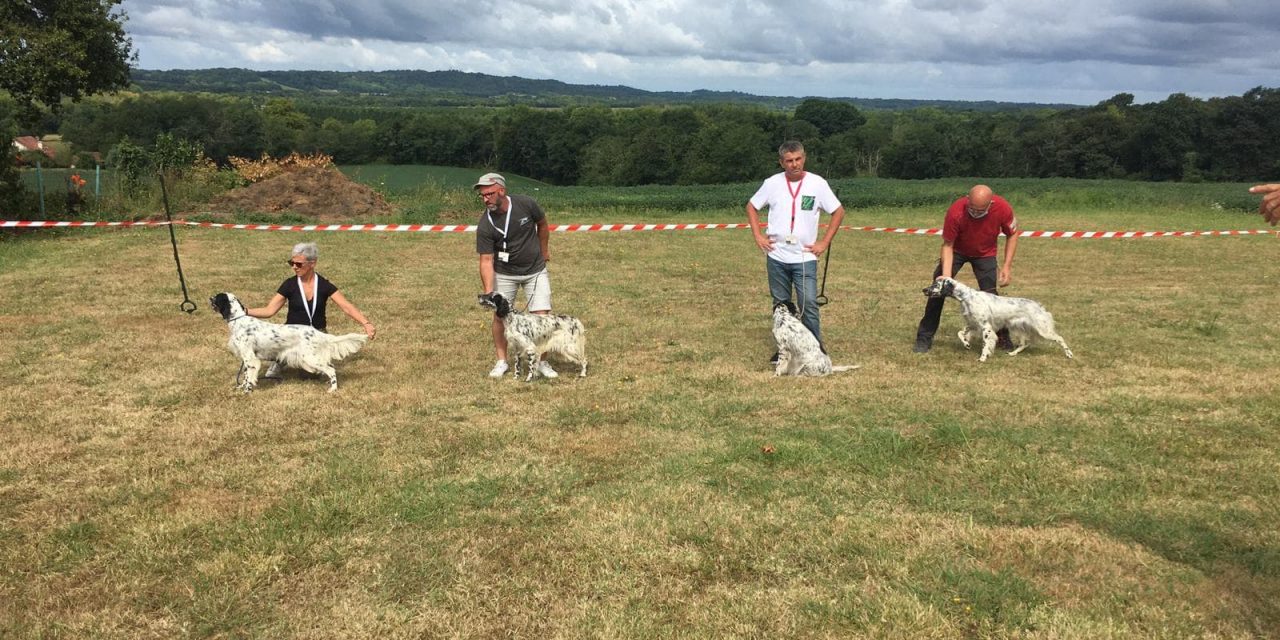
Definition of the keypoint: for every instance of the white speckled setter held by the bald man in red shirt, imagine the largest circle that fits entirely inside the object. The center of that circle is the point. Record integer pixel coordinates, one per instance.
(986, 314)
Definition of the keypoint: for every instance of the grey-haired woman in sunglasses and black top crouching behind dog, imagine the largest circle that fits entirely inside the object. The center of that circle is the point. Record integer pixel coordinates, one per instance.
(308, 292)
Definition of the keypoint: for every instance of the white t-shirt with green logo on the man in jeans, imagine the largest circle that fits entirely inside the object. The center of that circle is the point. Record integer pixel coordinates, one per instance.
(811, 196)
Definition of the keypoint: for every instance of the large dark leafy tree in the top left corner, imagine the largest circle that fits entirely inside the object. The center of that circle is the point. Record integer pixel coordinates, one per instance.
(56, 49)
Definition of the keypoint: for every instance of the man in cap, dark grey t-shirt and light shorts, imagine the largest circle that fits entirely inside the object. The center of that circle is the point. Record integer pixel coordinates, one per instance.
(511, 239)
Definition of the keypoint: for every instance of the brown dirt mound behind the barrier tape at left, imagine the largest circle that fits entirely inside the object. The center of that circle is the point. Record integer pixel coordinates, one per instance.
(323, 194)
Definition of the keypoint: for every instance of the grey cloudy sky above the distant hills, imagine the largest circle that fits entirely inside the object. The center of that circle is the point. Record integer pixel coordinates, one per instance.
(1013, 51)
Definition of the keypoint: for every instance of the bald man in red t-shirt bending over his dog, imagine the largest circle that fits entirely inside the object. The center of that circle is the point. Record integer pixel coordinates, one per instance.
(970, 235)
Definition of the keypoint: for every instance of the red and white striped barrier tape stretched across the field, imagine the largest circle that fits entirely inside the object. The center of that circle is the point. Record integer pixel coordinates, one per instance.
(472, 228)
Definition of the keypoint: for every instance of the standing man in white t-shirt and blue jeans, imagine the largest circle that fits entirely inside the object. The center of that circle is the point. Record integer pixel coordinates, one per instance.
(796, 200)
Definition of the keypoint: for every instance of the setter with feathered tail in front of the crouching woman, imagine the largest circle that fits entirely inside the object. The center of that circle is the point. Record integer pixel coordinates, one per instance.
(287, 345)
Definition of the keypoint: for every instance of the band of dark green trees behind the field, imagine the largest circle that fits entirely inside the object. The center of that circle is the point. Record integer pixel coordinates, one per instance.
(1180, 139)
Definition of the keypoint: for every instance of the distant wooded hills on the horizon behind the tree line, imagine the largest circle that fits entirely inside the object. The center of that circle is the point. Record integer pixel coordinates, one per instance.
(461, 89)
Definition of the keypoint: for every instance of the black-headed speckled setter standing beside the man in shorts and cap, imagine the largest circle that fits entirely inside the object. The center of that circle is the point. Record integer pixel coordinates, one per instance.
(529, 336)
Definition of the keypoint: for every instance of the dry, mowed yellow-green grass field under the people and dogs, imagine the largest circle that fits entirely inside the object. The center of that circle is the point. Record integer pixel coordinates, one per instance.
(680, 491)
